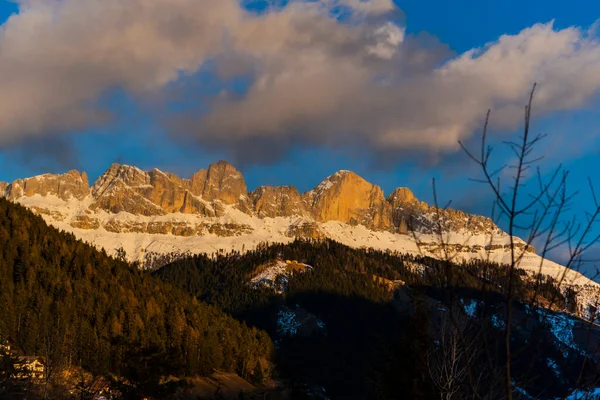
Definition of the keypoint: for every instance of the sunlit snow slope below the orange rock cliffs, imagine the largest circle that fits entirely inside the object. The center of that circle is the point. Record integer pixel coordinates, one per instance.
(251, 231)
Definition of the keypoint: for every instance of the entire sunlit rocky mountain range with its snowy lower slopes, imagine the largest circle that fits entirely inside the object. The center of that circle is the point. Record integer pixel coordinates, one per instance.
(154, 216)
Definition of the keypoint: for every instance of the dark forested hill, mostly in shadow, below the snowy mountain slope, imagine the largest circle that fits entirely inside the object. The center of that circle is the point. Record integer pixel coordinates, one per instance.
(368, 324)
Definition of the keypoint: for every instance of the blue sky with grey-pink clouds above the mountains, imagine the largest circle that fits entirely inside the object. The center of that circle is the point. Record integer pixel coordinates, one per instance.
(292, 91)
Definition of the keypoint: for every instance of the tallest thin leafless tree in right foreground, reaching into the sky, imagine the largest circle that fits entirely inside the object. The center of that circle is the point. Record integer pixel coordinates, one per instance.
(539, 212)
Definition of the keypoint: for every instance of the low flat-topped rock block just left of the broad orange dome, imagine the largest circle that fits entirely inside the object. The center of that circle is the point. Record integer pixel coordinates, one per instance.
(282, 201)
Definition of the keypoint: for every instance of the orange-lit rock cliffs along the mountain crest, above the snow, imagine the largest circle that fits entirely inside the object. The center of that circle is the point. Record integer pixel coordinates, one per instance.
(343, 196)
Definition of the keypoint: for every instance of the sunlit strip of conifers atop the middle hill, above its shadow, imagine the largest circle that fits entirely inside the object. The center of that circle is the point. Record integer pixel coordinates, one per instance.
(222, 280)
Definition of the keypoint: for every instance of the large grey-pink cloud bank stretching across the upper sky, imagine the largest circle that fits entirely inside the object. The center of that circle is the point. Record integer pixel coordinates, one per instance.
(319, 73)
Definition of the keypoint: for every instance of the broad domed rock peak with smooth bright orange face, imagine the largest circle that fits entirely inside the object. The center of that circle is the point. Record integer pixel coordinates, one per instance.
(346, 197)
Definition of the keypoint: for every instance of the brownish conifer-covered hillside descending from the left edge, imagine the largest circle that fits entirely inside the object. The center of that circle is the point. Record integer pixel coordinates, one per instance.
(69, 303)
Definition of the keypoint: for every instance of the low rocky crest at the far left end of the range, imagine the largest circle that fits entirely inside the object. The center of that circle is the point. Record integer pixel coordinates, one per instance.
(72, 185)
